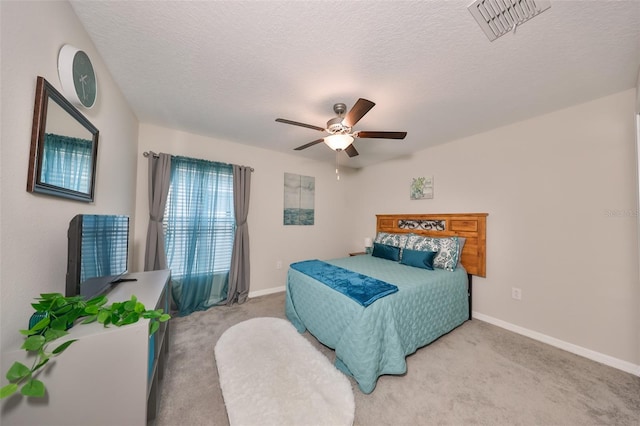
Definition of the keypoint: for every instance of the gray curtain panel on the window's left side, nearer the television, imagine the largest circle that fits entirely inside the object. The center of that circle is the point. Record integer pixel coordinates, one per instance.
(159, 177)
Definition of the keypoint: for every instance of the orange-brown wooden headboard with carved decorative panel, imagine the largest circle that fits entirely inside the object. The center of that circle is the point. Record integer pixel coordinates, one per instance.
(472, 226)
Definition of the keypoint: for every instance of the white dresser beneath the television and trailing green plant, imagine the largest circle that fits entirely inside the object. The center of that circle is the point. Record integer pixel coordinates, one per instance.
(110, 376)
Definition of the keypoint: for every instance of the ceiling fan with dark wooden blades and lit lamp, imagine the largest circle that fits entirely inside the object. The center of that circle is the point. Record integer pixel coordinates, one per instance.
(340, 128)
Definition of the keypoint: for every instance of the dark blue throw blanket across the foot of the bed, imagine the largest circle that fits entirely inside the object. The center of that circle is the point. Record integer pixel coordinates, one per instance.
(361, 288)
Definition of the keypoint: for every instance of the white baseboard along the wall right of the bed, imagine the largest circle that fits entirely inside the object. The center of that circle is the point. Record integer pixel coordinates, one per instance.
(569, 347)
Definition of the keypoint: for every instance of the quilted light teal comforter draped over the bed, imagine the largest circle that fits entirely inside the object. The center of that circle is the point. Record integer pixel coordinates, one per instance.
(374, 340)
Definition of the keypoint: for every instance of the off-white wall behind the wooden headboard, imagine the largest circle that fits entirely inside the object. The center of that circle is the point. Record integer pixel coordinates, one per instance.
(561, 195)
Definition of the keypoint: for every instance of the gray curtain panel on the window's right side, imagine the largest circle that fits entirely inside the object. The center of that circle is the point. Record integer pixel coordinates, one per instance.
(239, 272)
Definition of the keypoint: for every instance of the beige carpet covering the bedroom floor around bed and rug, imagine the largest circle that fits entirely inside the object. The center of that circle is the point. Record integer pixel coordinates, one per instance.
(478, 374)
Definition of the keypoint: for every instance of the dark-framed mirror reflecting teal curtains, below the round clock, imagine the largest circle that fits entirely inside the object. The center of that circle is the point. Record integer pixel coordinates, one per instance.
(64, 147)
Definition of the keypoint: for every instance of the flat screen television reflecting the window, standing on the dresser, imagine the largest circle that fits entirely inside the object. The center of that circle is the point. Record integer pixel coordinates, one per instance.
(98, 253)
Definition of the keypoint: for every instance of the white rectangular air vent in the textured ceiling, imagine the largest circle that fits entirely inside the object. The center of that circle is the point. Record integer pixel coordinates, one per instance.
(498, 17)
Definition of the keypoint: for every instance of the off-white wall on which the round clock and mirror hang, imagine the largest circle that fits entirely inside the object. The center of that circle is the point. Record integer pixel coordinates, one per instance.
(33, 228)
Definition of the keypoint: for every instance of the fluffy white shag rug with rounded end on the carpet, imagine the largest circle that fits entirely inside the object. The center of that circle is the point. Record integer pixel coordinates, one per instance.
(271, 375)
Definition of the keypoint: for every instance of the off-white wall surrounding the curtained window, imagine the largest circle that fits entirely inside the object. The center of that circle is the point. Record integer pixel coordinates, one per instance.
(270, 241)
